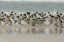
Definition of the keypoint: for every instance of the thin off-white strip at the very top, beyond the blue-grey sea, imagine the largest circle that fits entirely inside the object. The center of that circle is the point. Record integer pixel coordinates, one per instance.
(33, 0)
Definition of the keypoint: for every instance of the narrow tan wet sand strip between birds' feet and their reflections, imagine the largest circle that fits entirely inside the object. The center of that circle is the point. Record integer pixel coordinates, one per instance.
(25, 26)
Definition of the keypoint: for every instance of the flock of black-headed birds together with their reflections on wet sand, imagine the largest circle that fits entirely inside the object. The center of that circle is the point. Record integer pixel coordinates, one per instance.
(34, 19)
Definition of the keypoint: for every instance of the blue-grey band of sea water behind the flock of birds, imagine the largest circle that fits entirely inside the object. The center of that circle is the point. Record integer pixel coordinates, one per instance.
(31, 6)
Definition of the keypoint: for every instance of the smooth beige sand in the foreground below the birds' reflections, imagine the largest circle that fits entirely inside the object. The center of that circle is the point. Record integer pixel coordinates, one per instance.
(35, 38)
